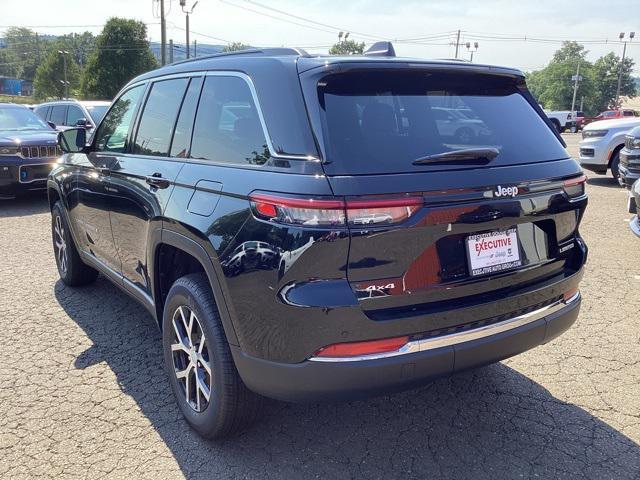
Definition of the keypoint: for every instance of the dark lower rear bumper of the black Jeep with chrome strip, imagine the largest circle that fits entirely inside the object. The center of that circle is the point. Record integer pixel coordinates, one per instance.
(314, 380)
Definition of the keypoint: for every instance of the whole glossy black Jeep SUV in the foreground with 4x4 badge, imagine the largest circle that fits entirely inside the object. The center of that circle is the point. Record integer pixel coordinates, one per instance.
(311, 227)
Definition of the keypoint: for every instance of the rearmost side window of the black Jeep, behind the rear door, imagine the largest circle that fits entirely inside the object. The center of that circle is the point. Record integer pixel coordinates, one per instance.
(227, 127)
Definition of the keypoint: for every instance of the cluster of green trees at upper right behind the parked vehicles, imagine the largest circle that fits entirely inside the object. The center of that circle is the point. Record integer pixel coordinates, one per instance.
(553, 87)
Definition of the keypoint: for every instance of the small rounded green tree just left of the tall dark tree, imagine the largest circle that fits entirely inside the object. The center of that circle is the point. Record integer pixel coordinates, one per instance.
(49, 80)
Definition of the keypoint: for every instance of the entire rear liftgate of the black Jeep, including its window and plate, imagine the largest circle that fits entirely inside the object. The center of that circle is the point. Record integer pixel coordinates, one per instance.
(433, 232)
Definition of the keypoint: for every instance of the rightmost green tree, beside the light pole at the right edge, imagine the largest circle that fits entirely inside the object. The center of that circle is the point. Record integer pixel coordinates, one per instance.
(606, 78)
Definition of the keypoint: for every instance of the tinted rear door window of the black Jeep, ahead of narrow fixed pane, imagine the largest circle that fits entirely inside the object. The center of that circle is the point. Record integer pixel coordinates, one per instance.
(159, 117)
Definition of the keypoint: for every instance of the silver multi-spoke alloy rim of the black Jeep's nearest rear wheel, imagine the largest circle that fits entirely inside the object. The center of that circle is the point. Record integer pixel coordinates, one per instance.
(191, 361)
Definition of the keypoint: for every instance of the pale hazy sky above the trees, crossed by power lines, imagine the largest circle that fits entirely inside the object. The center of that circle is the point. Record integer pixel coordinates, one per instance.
(418, 28)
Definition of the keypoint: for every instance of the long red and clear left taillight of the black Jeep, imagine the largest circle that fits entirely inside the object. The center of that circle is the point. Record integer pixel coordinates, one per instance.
(329, 212)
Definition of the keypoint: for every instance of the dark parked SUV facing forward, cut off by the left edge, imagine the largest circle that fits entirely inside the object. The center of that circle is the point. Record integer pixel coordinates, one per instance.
(28, 151)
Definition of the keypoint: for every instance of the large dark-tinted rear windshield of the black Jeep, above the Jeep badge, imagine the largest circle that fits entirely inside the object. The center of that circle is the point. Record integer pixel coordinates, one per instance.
(381, 121)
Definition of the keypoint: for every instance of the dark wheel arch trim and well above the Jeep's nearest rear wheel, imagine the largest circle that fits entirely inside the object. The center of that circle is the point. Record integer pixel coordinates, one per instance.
(167, 243)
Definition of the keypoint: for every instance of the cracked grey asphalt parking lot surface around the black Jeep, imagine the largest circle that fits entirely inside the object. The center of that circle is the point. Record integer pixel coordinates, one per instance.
(83, 394)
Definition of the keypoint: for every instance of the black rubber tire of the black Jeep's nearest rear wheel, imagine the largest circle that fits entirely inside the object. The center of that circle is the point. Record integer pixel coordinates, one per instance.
(231, 405)
